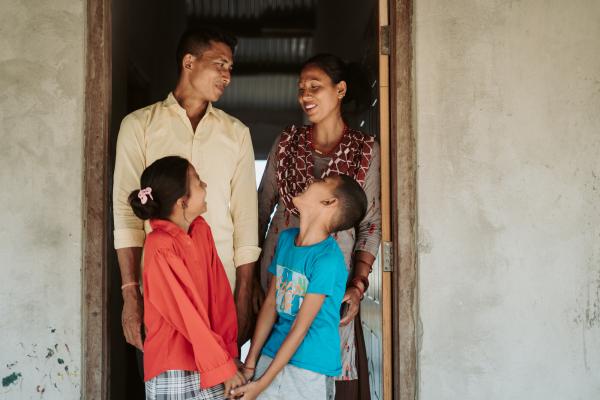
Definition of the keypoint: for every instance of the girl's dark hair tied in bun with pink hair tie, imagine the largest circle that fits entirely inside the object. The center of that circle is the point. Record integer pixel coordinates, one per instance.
(167, 177)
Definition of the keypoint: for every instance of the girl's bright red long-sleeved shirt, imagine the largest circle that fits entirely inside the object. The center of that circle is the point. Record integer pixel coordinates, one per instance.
(189, 312)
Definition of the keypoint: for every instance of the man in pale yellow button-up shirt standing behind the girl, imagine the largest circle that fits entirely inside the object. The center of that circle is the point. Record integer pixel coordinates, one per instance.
(219, 147)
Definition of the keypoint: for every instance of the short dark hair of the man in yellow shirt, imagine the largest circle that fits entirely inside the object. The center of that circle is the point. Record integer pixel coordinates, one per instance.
(195, 41)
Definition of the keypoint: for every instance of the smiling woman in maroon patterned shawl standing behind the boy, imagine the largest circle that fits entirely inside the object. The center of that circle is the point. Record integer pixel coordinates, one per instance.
(328, 147)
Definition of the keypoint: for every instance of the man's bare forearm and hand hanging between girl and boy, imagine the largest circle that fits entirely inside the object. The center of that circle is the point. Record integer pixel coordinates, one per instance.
(243, 301)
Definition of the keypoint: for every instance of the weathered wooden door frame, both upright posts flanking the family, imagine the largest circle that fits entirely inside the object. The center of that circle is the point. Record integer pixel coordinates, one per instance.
(95, 357)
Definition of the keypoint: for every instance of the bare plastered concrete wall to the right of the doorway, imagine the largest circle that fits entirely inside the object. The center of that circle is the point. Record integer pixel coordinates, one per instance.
(508, 125)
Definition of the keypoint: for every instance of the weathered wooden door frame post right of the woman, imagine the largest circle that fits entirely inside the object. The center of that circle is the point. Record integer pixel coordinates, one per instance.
(404, 205)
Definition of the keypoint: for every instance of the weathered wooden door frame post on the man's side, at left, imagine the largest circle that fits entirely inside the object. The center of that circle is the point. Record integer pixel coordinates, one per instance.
(95, 357)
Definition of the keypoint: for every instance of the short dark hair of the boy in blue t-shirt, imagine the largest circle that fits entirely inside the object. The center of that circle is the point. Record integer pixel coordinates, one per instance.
(352, 203)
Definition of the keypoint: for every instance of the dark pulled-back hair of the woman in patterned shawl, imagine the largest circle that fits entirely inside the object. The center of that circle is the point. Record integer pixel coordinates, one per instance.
(358, 92)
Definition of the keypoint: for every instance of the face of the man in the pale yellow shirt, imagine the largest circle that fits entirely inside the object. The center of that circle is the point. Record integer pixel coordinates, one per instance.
(210, 73)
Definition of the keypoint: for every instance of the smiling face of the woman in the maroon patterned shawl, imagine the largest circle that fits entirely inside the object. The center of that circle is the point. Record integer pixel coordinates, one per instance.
(318, 96)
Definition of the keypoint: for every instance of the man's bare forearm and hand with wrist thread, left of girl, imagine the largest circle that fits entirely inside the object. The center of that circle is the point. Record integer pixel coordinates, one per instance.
(132, 315)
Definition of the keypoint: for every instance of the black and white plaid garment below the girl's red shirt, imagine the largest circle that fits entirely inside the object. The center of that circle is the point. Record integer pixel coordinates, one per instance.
(181, 385)
